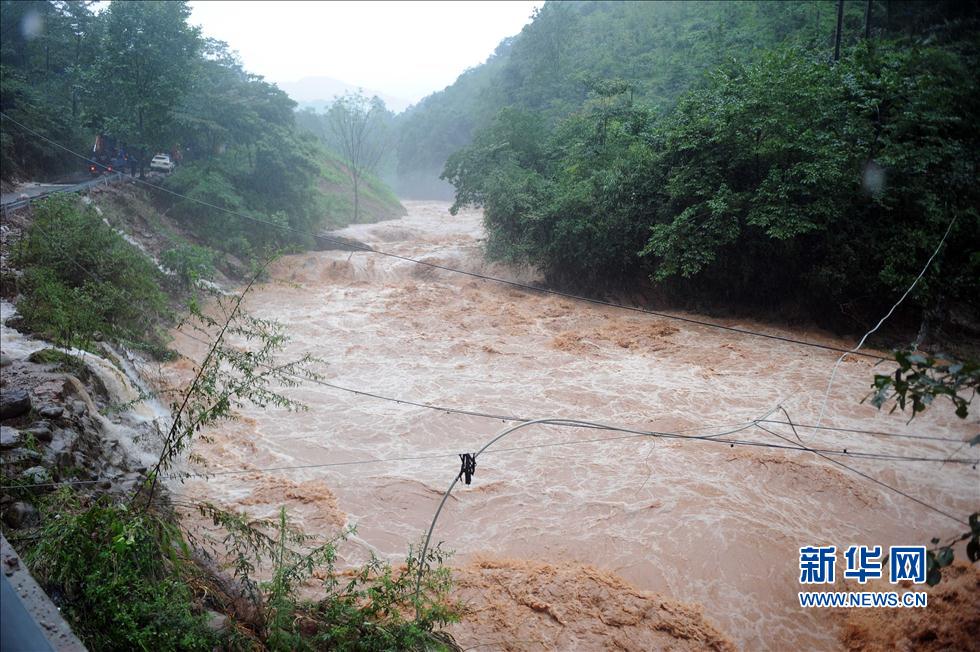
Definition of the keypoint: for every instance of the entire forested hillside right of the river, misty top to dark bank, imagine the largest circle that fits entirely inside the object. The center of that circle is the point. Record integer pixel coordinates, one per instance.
(718, 150)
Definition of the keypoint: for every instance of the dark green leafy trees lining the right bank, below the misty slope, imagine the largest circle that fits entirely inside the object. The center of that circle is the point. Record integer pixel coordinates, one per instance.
(782, 180)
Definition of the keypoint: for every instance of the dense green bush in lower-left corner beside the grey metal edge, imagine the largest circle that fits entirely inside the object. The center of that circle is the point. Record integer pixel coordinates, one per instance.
(119, 576)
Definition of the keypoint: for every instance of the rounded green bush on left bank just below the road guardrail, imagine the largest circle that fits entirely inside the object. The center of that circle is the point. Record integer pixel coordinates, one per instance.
(84, 280)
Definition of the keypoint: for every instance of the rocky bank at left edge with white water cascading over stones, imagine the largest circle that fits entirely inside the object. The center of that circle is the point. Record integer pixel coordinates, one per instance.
(65, 422)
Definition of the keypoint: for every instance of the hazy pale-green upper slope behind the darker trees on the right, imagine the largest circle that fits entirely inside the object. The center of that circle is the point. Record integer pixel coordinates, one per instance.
(661, 48)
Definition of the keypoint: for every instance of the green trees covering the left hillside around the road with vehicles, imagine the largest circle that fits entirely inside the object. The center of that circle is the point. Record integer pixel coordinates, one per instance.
(139, 73)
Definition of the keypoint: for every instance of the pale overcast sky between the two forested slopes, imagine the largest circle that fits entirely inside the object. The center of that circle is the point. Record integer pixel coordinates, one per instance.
(405, 49)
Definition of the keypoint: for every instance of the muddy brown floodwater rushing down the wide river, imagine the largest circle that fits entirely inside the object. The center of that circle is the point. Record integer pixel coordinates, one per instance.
(693, 522)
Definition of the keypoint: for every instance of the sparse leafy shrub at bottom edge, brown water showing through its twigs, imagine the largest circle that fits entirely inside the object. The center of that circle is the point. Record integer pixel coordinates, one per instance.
(374, 607)
